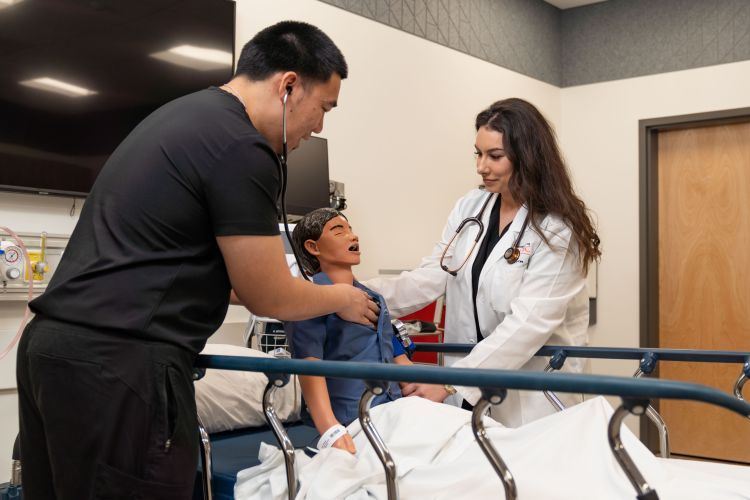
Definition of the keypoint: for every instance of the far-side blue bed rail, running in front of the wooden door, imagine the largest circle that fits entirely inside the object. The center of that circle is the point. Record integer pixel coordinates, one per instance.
(648, 357)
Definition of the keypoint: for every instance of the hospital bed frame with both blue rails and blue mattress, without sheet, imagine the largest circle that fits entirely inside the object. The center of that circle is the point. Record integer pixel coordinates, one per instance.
(635, 394)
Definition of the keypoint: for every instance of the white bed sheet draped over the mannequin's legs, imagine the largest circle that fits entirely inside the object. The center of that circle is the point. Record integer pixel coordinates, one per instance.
(562, 456)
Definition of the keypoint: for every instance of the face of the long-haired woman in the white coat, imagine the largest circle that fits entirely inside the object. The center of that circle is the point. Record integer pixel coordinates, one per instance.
(492, 163)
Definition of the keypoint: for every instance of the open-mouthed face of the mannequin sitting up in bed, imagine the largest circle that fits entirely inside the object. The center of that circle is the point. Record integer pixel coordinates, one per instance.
(337, 246)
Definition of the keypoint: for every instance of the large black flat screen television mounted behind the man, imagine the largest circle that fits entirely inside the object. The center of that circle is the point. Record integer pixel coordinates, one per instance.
(76, 76)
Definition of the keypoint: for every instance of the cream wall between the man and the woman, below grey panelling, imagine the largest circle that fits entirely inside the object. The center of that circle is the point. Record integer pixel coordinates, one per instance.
(402, 137)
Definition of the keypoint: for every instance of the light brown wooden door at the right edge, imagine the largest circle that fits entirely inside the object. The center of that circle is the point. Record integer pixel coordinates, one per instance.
(704, 277)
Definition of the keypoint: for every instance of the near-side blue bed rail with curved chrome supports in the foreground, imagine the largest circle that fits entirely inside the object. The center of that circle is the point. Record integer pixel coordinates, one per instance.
(635, 394)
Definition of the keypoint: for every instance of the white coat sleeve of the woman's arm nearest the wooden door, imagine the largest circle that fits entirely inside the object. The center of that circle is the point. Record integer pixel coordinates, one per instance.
(551, 281)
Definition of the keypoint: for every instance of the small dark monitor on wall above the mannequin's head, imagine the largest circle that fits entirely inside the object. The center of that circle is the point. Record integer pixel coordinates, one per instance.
(307, 184)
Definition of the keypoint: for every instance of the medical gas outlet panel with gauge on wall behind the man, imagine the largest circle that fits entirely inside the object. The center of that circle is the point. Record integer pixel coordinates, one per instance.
(45, 251)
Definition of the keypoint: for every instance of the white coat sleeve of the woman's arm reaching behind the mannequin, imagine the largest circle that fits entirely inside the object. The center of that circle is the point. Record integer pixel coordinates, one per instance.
(412, 290)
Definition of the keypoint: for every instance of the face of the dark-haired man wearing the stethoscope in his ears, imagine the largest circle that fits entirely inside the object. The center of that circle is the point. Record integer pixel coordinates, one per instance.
(307, 106)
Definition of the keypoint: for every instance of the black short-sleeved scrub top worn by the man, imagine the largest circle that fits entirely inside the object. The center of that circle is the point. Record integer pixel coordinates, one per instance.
(143, 260)
